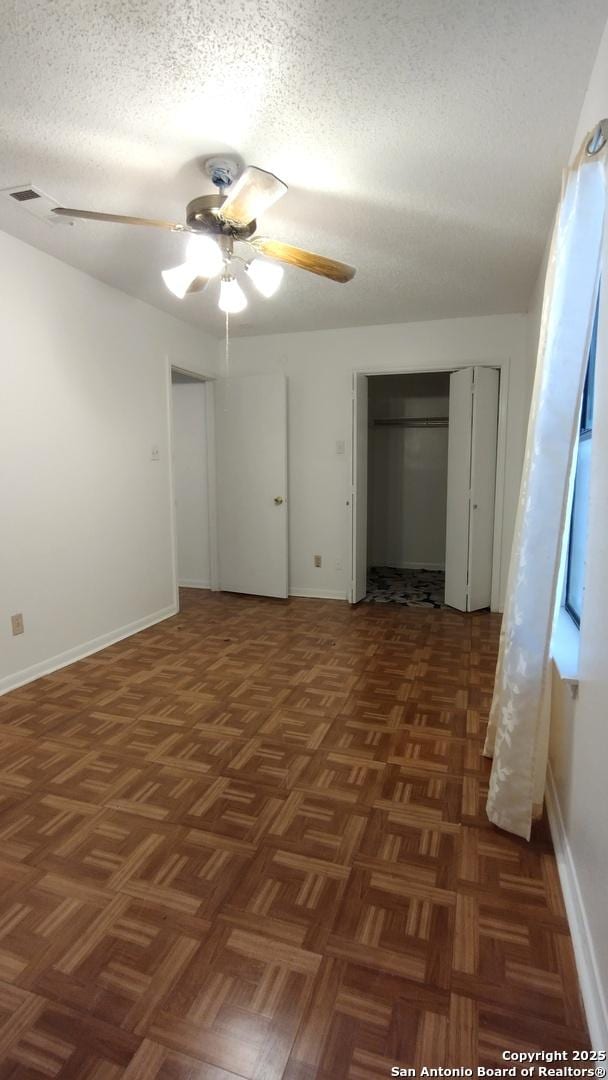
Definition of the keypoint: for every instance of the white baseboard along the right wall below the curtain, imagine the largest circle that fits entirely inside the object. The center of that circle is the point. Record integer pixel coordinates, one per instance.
(595, 1002)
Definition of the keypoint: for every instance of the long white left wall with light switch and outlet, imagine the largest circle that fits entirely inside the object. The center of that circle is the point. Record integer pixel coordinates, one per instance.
(86, 545)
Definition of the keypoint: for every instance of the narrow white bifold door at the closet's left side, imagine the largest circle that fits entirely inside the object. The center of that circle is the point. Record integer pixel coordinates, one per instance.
(359, 503)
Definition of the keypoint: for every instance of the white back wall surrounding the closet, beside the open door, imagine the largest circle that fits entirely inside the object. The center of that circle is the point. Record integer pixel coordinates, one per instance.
(319, 367)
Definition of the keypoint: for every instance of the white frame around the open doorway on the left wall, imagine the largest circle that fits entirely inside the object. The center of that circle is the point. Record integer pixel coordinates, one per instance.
(212, 515)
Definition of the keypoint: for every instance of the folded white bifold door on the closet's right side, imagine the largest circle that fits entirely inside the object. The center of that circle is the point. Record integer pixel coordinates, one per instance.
(471, 488)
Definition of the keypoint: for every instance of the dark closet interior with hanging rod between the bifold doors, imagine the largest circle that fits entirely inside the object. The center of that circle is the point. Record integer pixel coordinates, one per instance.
(408, 458)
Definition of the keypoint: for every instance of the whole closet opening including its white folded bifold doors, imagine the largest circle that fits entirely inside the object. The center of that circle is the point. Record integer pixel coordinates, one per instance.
(428, 453)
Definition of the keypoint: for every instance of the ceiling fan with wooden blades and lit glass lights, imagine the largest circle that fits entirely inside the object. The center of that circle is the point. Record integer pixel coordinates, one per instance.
(215, 224)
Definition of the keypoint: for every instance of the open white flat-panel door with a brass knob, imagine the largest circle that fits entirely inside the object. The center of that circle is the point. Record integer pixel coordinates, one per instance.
(251, 438)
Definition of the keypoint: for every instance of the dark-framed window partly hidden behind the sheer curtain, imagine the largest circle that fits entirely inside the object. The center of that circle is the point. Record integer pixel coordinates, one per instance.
(579, 520)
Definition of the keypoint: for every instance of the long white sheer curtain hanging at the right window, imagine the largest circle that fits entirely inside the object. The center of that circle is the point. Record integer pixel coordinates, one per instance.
(519, 725)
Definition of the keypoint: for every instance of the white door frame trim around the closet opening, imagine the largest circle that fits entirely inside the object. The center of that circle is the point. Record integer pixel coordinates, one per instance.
(504, 367)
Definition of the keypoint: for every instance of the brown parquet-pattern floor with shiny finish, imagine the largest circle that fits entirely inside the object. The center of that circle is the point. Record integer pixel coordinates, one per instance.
(251, 843)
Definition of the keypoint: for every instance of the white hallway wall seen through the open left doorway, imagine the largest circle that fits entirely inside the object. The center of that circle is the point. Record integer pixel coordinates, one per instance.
(192, 483)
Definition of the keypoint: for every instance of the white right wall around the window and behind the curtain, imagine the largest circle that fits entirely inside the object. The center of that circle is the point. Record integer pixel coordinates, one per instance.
(579, 744)
